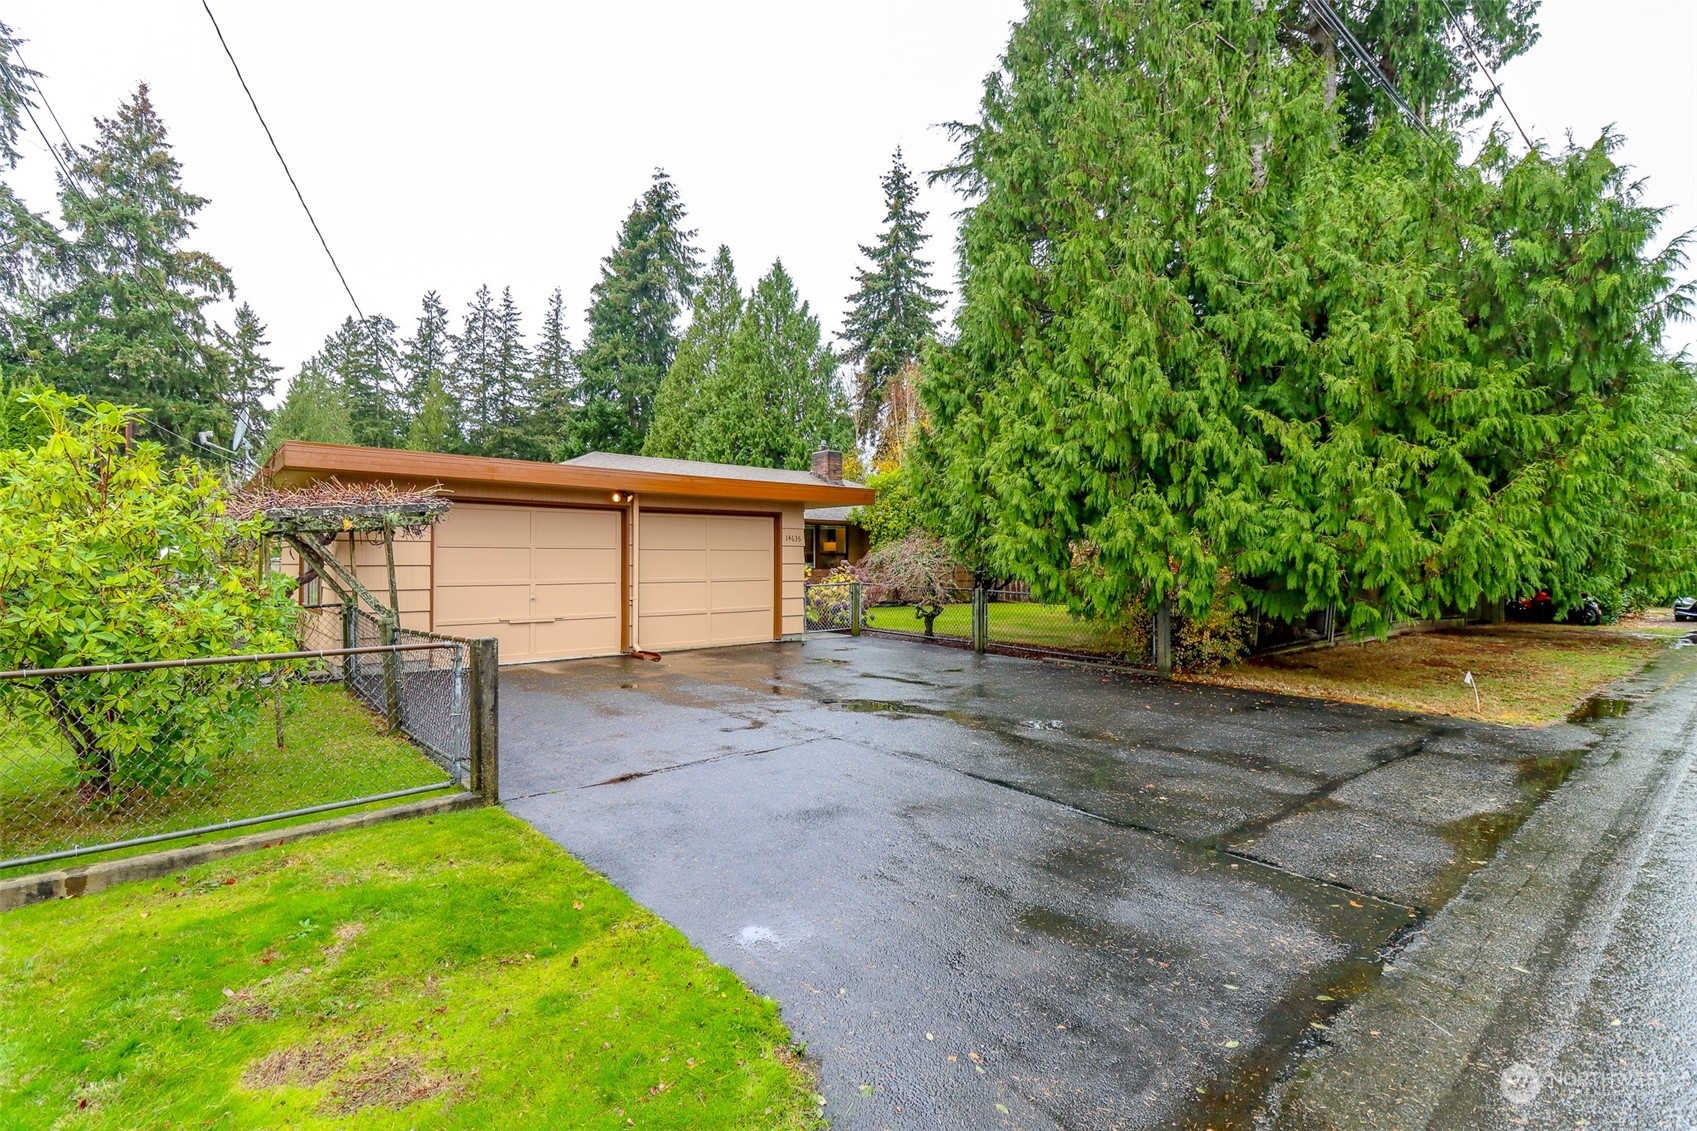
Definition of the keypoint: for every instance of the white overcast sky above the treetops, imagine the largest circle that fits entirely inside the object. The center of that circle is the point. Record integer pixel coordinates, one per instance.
(449, 145)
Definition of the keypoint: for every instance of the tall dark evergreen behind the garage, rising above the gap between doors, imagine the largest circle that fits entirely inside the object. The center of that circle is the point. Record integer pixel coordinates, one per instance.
(632, 324)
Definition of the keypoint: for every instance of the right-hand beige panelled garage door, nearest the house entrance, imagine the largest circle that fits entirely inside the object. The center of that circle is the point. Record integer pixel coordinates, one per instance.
(703, 580)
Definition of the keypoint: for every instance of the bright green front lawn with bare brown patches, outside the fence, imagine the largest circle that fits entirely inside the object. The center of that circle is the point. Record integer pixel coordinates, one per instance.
(456, 972)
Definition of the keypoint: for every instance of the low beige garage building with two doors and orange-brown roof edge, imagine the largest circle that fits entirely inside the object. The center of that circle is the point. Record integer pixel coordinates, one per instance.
(595, 556)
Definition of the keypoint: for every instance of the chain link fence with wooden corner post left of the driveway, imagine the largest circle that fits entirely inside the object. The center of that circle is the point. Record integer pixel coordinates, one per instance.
(126, 755)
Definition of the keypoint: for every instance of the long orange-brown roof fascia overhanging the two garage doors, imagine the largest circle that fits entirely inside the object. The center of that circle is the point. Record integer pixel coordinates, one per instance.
(300, 463)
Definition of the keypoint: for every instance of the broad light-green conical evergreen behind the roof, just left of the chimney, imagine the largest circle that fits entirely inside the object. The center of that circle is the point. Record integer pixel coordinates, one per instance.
(775, 400)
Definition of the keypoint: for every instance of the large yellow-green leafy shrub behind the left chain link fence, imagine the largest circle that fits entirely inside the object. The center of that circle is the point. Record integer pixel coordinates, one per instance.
(113, 558)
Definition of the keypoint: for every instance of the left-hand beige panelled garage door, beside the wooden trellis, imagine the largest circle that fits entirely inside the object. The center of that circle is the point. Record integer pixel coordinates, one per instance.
(542, 580)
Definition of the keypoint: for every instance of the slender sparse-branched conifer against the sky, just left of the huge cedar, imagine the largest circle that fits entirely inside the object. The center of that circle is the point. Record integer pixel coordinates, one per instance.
(893, 312)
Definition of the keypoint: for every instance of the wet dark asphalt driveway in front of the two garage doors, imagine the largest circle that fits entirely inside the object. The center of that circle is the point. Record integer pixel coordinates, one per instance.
(995, 892)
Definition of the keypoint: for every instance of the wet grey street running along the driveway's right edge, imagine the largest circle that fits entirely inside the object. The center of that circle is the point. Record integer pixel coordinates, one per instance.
(1560, 988)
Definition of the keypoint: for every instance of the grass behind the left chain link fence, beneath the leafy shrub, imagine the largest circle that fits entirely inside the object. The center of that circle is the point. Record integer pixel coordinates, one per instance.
(333, 750)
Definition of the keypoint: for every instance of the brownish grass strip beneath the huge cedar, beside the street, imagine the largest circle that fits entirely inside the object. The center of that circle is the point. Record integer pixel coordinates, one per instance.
(1526, 675)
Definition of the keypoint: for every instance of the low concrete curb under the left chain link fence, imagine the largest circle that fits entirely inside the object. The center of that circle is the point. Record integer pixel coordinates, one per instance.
(91, 879)
